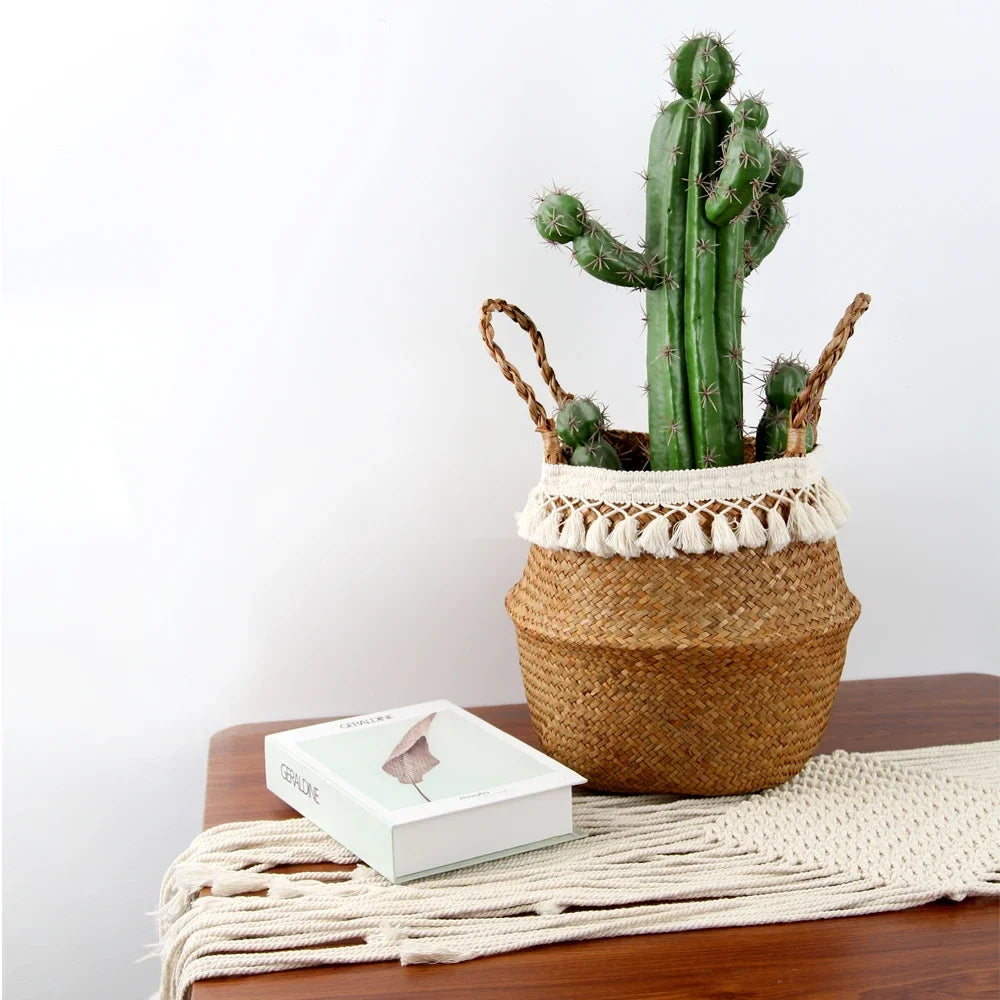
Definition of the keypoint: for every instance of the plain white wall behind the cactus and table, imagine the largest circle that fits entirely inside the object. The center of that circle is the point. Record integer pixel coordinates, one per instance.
(258, 463)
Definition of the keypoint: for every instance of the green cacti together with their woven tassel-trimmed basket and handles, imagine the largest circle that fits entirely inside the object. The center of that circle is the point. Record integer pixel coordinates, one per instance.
(682, 620)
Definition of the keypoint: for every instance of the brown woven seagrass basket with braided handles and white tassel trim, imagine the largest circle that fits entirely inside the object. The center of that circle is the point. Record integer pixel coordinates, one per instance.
(684, 631)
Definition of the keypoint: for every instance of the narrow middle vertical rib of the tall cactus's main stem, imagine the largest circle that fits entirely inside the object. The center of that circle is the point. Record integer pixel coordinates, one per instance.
(701, 247)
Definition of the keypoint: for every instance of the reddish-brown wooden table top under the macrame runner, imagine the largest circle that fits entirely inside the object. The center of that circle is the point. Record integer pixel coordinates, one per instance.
(945, 949)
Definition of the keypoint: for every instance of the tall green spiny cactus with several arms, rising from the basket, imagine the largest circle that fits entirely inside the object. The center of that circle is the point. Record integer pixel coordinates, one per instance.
(713, 191)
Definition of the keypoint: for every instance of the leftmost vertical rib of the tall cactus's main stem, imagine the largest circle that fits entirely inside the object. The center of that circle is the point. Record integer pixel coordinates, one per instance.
(666, 207)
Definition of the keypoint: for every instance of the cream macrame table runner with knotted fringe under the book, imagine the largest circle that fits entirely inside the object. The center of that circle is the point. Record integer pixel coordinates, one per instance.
(853, 833)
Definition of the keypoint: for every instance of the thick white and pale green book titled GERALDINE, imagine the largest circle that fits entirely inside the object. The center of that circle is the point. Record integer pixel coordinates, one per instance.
(424, 789)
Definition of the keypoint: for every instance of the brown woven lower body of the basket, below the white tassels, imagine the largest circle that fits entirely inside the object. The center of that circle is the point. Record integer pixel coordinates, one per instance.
(700, 675)
